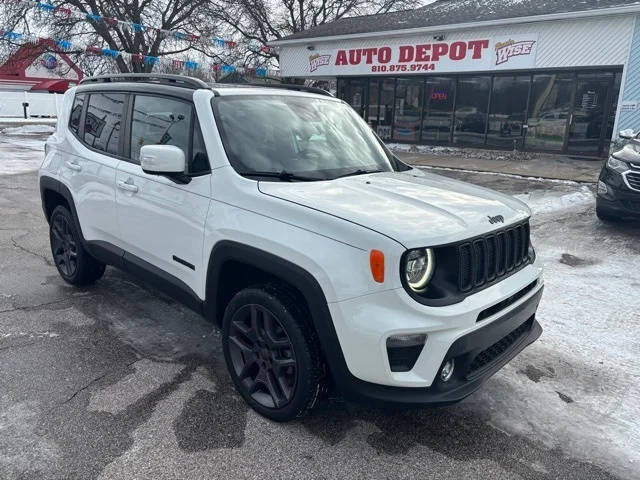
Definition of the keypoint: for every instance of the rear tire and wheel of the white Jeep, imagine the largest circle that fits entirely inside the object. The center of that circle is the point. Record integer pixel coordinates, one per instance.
(75, 265)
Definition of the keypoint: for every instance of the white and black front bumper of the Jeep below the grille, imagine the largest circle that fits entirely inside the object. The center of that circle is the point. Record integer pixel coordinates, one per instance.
(363, 324)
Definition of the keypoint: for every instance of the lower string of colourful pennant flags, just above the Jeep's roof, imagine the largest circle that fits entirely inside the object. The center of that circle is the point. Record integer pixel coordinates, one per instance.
(175, 63)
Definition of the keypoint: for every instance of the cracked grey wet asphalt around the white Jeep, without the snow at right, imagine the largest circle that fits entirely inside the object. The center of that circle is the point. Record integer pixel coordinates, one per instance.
(119, 381)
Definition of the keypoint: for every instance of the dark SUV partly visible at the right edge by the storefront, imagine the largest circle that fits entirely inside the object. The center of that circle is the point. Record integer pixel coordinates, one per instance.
(619, 183)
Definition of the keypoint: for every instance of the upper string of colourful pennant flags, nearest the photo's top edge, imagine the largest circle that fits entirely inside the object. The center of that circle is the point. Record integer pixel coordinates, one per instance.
(62, 11)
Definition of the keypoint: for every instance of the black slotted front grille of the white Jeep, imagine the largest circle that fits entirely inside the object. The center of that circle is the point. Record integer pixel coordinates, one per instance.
(486, 259)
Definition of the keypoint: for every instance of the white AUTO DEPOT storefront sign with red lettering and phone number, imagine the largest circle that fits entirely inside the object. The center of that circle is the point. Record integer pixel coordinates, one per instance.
(505, 53)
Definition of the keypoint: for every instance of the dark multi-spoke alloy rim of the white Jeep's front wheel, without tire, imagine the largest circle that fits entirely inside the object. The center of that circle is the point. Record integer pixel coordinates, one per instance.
(262, 356)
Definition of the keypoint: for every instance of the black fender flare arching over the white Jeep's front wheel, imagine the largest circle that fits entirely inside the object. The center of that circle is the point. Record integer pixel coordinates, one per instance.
(302, 280)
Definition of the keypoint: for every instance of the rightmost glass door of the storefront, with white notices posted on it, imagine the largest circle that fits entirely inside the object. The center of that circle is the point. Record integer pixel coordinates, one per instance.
(588, 120)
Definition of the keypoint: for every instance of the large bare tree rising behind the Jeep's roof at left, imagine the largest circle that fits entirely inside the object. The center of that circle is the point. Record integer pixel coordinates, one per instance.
(184, 16)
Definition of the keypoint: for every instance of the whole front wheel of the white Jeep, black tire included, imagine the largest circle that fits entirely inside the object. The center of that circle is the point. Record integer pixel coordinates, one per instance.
(272, 352)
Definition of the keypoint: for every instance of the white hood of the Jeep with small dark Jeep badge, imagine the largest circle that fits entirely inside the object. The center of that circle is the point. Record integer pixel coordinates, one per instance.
(414, 208)
